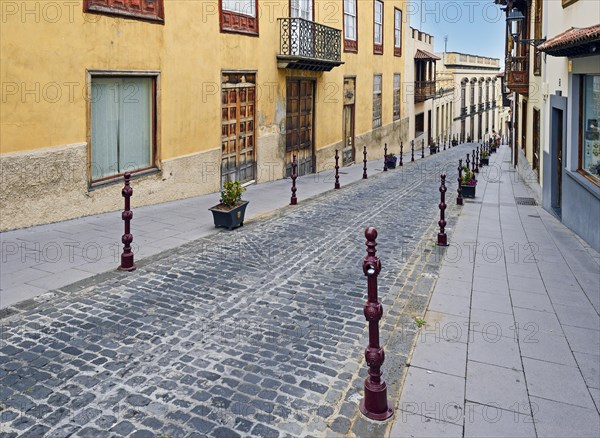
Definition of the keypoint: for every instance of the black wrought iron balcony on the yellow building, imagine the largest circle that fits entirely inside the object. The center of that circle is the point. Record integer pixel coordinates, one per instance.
(306, 45)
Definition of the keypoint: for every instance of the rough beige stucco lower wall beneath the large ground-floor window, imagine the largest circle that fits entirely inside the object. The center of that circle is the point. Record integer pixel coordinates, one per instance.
(49, 185)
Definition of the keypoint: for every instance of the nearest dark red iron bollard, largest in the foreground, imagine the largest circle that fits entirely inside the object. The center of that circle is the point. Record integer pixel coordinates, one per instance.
(374, 405)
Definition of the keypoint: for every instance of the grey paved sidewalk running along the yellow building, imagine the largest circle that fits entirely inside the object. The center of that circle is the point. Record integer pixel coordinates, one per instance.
(39, 259)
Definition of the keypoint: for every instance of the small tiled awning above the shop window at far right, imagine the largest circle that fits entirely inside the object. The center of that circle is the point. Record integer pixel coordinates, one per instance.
(574, 42)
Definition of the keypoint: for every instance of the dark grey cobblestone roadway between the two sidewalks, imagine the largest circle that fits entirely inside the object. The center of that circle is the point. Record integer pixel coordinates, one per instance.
(256, 332)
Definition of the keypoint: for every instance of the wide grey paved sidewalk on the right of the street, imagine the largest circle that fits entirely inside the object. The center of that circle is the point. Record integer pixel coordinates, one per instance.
(512, 337)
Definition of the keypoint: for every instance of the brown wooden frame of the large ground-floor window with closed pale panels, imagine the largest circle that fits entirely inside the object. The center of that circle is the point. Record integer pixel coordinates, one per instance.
(156, 122)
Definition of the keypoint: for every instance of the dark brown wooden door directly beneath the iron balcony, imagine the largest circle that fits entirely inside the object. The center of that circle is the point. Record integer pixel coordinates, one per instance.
(299, 125)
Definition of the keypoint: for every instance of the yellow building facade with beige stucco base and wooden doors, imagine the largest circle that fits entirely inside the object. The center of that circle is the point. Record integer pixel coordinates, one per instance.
(187, 94)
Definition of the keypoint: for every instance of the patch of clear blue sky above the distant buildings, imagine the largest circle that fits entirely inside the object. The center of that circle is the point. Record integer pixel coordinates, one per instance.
(476, 27)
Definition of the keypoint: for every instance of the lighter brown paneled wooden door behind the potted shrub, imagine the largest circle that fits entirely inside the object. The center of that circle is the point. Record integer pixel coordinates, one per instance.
(238, 158)
